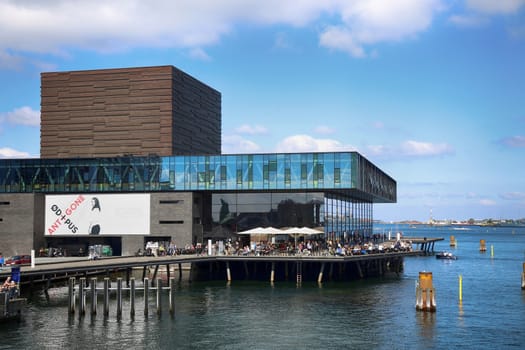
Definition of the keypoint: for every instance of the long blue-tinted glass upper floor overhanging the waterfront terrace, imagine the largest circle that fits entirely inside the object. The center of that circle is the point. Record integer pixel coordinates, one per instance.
(347, 173)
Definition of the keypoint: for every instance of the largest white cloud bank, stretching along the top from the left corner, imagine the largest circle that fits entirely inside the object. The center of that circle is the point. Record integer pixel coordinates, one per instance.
(107, 26)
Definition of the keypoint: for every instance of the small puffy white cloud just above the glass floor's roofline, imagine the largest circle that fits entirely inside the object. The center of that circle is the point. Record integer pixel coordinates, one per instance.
(306, 143)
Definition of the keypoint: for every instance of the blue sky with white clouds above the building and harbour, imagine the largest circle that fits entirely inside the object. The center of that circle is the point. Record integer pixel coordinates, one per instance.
(430, 91)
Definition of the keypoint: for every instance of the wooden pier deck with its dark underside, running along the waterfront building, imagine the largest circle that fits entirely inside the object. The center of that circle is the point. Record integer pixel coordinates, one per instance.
(226, 267)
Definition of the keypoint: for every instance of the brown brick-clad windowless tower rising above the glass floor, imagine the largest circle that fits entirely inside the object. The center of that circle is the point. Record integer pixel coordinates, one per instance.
(138, 111)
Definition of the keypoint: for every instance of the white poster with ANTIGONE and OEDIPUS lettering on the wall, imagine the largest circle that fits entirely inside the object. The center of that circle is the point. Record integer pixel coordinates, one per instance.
(97, 214)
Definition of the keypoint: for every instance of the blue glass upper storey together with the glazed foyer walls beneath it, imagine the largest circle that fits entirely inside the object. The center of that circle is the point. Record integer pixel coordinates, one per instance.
(333, 190)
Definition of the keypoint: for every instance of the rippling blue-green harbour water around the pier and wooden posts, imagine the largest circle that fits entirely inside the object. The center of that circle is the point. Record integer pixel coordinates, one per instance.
(373, 314)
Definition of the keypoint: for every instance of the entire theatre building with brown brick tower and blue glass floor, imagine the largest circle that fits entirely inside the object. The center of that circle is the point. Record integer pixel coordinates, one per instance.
(132, 155)
